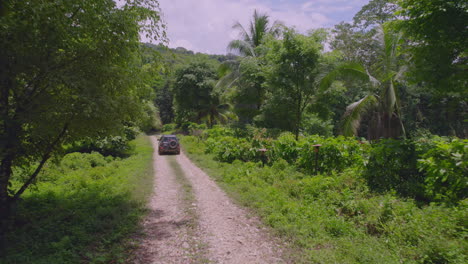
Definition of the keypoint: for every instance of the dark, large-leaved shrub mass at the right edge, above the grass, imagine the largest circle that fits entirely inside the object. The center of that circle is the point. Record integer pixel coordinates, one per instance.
(425, 169)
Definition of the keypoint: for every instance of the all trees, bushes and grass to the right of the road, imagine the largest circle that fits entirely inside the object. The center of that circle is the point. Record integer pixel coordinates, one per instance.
(357, 152)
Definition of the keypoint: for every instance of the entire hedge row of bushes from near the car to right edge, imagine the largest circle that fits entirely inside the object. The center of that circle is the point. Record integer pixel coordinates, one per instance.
(428, 170)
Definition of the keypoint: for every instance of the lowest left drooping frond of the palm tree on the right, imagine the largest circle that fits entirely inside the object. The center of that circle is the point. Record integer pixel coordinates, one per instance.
(354, 112)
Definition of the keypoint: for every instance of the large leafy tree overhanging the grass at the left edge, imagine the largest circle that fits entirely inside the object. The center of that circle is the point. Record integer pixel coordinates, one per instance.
(68, 70)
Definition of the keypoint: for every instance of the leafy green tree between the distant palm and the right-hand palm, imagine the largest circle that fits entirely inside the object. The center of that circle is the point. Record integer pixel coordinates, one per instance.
(291, 72)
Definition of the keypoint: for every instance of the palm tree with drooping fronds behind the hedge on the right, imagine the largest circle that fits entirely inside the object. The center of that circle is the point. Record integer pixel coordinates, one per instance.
(384, 108)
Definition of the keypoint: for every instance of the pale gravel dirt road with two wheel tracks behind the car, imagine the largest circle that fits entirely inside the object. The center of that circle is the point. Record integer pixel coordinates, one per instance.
(193, 221)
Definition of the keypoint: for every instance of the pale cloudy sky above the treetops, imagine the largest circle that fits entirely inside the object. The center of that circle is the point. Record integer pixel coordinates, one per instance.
(206, 25)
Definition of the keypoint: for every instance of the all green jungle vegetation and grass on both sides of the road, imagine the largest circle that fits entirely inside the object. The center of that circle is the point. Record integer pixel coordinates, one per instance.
(362, 127)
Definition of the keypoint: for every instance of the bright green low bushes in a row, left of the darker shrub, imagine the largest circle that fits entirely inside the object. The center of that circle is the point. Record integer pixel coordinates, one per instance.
(336, 154)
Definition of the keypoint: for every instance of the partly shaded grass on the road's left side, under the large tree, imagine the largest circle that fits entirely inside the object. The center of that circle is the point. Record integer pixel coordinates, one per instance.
(83, 209)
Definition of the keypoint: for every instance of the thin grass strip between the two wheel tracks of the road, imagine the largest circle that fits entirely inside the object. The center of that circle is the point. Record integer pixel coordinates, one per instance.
(198, 249)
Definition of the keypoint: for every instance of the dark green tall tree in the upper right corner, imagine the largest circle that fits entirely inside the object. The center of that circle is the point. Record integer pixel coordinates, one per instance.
(436, 31)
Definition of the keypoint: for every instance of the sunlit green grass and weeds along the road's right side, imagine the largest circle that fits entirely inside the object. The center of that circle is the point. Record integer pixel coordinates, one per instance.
(335, 218)
